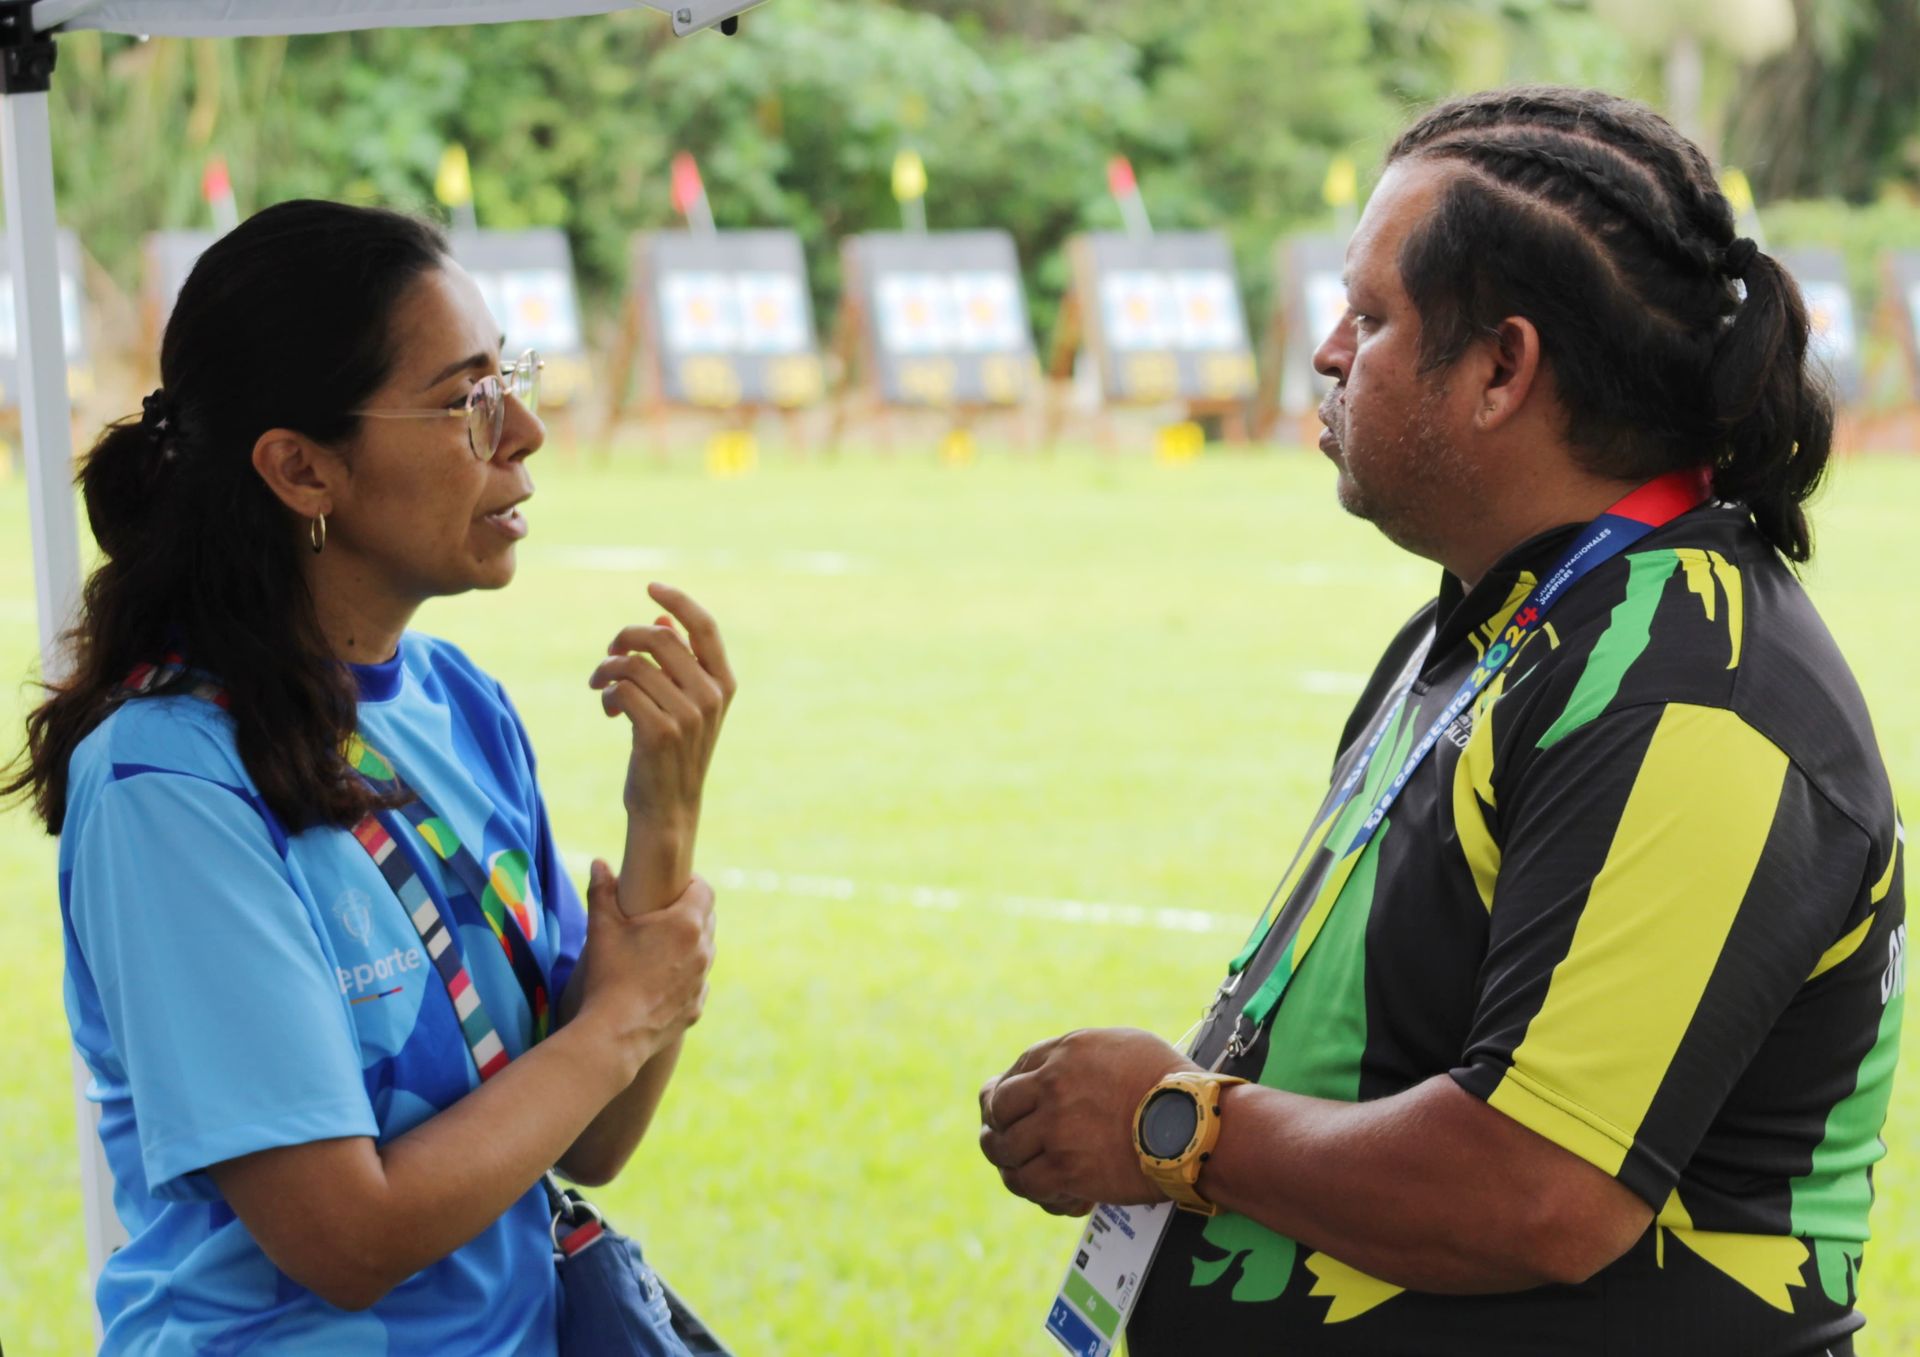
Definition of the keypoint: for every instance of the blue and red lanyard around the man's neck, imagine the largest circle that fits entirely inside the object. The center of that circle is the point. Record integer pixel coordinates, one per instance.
(1650, 508)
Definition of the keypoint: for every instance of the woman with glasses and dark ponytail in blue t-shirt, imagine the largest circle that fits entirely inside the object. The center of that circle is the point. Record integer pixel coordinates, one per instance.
(341, 1003)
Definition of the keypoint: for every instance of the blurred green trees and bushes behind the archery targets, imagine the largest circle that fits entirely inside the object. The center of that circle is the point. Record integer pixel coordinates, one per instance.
(1232, 110)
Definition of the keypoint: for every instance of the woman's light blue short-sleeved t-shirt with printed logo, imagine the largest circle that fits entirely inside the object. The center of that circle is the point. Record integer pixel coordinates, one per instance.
(235, 989)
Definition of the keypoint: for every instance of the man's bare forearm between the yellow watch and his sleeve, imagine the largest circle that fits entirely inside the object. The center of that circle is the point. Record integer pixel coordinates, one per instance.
(1431, 1189)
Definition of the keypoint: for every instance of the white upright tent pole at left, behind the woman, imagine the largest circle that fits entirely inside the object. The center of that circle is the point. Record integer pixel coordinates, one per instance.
(47, 421)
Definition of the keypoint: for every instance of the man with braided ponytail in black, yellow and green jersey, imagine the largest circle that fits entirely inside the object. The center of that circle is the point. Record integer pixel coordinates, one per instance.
(1572, 1028)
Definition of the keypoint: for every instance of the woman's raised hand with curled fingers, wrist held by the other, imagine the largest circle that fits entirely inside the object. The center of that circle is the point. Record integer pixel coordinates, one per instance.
(675, 694)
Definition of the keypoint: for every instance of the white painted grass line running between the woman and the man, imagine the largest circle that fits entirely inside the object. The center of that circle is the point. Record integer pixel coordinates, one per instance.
(827, 890)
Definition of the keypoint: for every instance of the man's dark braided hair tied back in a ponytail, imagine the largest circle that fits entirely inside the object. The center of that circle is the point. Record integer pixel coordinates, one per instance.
(1598, 222)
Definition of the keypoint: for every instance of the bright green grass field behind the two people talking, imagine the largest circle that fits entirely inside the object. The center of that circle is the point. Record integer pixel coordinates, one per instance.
(1020, 748)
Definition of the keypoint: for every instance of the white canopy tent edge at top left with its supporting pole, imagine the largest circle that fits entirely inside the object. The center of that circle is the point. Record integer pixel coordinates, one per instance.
(28, 62)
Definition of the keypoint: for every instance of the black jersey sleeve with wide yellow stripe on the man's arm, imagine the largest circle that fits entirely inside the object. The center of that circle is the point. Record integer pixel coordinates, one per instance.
(1668, 882)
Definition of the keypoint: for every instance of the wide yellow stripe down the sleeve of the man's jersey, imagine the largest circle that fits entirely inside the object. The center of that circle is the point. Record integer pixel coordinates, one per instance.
(1650, 936)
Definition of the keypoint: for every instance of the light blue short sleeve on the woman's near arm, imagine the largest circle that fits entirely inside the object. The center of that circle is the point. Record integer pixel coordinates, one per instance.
(220, 999)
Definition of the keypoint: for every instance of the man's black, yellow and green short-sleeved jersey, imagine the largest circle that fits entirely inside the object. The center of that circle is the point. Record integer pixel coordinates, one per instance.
(1644, 897)
